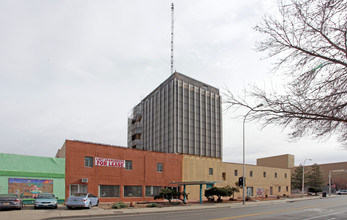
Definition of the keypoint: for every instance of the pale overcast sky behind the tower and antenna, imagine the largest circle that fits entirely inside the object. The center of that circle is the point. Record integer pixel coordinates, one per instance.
(75, 69)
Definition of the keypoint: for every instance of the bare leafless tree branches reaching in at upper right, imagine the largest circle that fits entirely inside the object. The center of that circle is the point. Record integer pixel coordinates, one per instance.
(309, 41)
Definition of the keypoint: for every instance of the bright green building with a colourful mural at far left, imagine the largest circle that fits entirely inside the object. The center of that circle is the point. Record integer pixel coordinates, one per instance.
(30, 175)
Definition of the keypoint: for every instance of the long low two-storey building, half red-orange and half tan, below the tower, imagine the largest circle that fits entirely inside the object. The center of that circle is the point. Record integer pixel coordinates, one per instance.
(116, 173)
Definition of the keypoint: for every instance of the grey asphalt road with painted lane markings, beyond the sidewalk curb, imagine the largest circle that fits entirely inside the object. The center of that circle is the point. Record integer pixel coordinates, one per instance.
(319, 209)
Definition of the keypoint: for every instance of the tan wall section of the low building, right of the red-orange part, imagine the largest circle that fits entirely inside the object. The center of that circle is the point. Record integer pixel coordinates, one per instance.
(196, 168)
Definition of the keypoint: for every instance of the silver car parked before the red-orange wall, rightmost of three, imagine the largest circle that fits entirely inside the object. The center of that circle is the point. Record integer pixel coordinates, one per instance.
(82, 200)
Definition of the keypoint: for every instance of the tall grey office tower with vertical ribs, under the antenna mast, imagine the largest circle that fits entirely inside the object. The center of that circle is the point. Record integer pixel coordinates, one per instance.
(182, 115)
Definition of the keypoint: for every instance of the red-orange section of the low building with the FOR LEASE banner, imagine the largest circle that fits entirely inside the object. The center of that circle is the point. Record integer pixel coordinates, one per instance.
(117, 173)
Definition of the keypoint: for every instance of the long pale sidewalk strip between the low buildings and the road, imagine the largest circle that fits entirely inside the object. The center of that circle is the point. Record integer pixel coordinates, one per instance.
(28, 213)
